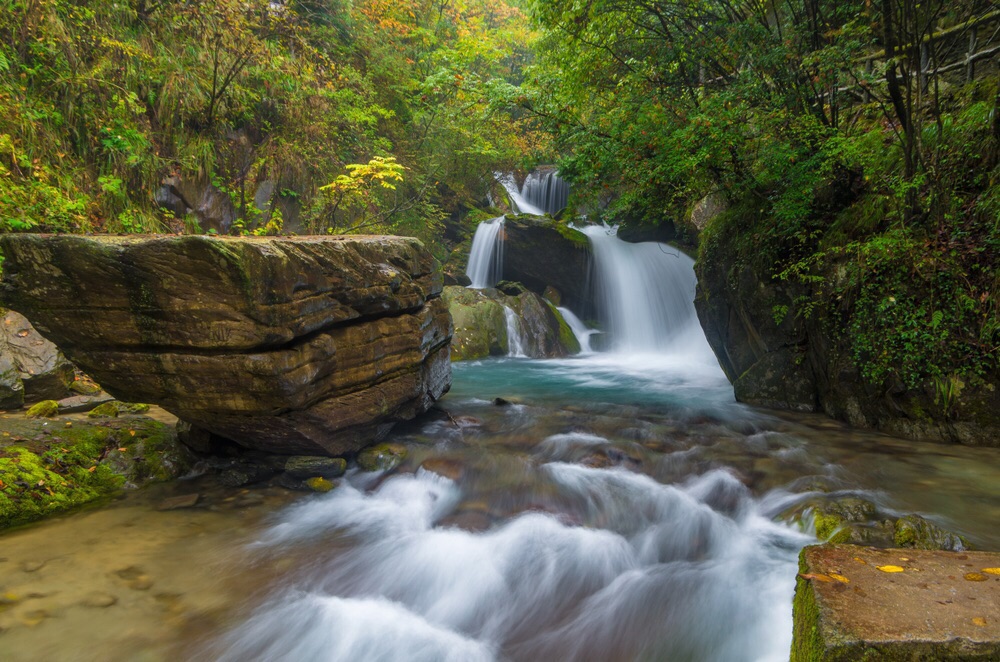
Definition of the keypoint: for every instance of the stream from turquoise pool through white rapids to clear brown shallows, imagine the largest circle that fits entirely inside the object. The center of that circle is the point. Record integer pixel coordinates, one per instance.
(619, 508)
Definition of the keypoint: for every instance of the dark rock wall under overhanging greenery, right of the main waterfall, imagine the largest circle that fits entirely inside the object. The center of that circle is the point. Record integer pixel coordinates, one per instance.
(785, 346)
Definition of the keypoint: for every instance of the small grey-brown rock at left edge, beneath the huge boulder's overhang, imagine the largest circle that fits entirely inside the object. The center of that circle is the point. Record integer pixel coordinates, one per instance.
(31, 367)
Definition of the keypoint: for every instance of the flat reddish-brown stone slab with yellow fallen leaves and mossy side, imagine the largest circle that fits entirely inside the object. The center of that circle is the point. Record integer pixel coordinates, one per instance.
(862, 603)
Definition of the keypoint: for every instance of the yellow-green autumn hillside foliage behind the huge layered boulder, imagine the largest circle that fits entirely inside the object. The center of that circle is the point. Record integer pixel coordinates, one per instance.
(360, 116)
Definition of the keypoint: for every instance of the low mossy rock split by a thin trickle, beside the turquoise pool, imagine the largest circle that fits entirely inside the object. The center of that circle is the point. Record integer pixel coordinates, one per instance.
(481, 328)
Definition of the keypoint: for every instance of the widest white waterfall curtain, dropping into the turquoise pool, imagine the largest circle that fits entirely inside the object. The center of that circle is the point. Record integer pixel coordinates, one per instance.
(645, 295)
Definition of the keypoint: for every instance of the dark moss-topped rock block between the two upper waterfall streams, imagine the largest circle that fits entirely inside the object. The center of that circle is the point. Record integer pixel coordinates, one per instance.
(540, 252)
